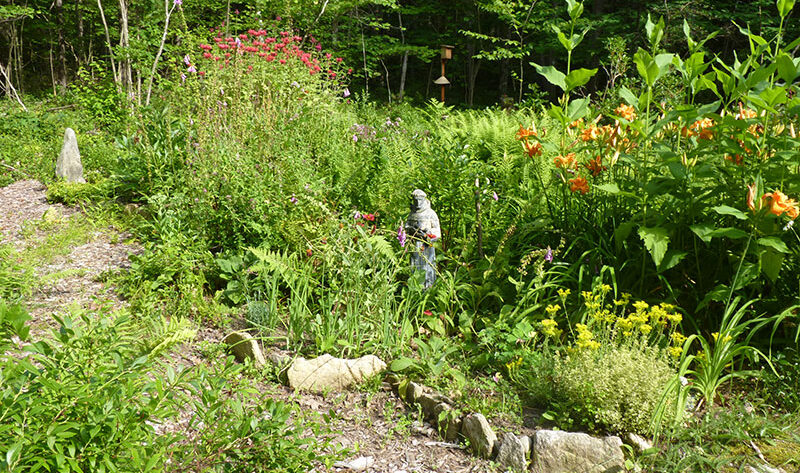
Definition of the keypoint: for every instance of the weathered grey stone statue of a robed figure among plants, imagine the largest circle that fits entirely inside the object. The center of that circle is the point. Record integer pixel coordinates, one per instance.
(422, 228)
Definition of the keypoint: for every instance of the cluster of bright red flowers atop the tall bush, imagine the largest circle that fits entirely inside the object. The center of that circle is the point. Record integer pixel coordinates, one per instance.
(282, 48)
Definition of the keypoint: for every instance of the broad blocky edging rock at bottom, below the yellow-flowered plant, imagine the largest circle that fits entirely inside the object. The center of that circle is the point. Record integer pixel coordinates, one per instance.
(568, 452)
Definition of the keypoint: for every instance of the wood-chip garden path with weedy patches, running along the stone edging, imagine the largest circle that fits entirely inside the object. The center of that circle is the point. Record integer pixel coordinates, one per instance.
(69, 254)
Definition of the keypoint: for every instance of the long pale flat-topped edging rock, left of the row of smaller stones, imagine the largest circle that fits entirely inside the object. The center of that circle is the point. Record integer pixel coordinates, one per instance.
(327, 373)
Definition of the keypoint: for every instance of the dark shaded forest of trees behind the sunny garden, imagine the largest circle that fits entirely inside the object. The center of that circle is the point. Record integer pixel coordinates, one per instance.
(391, 46)
